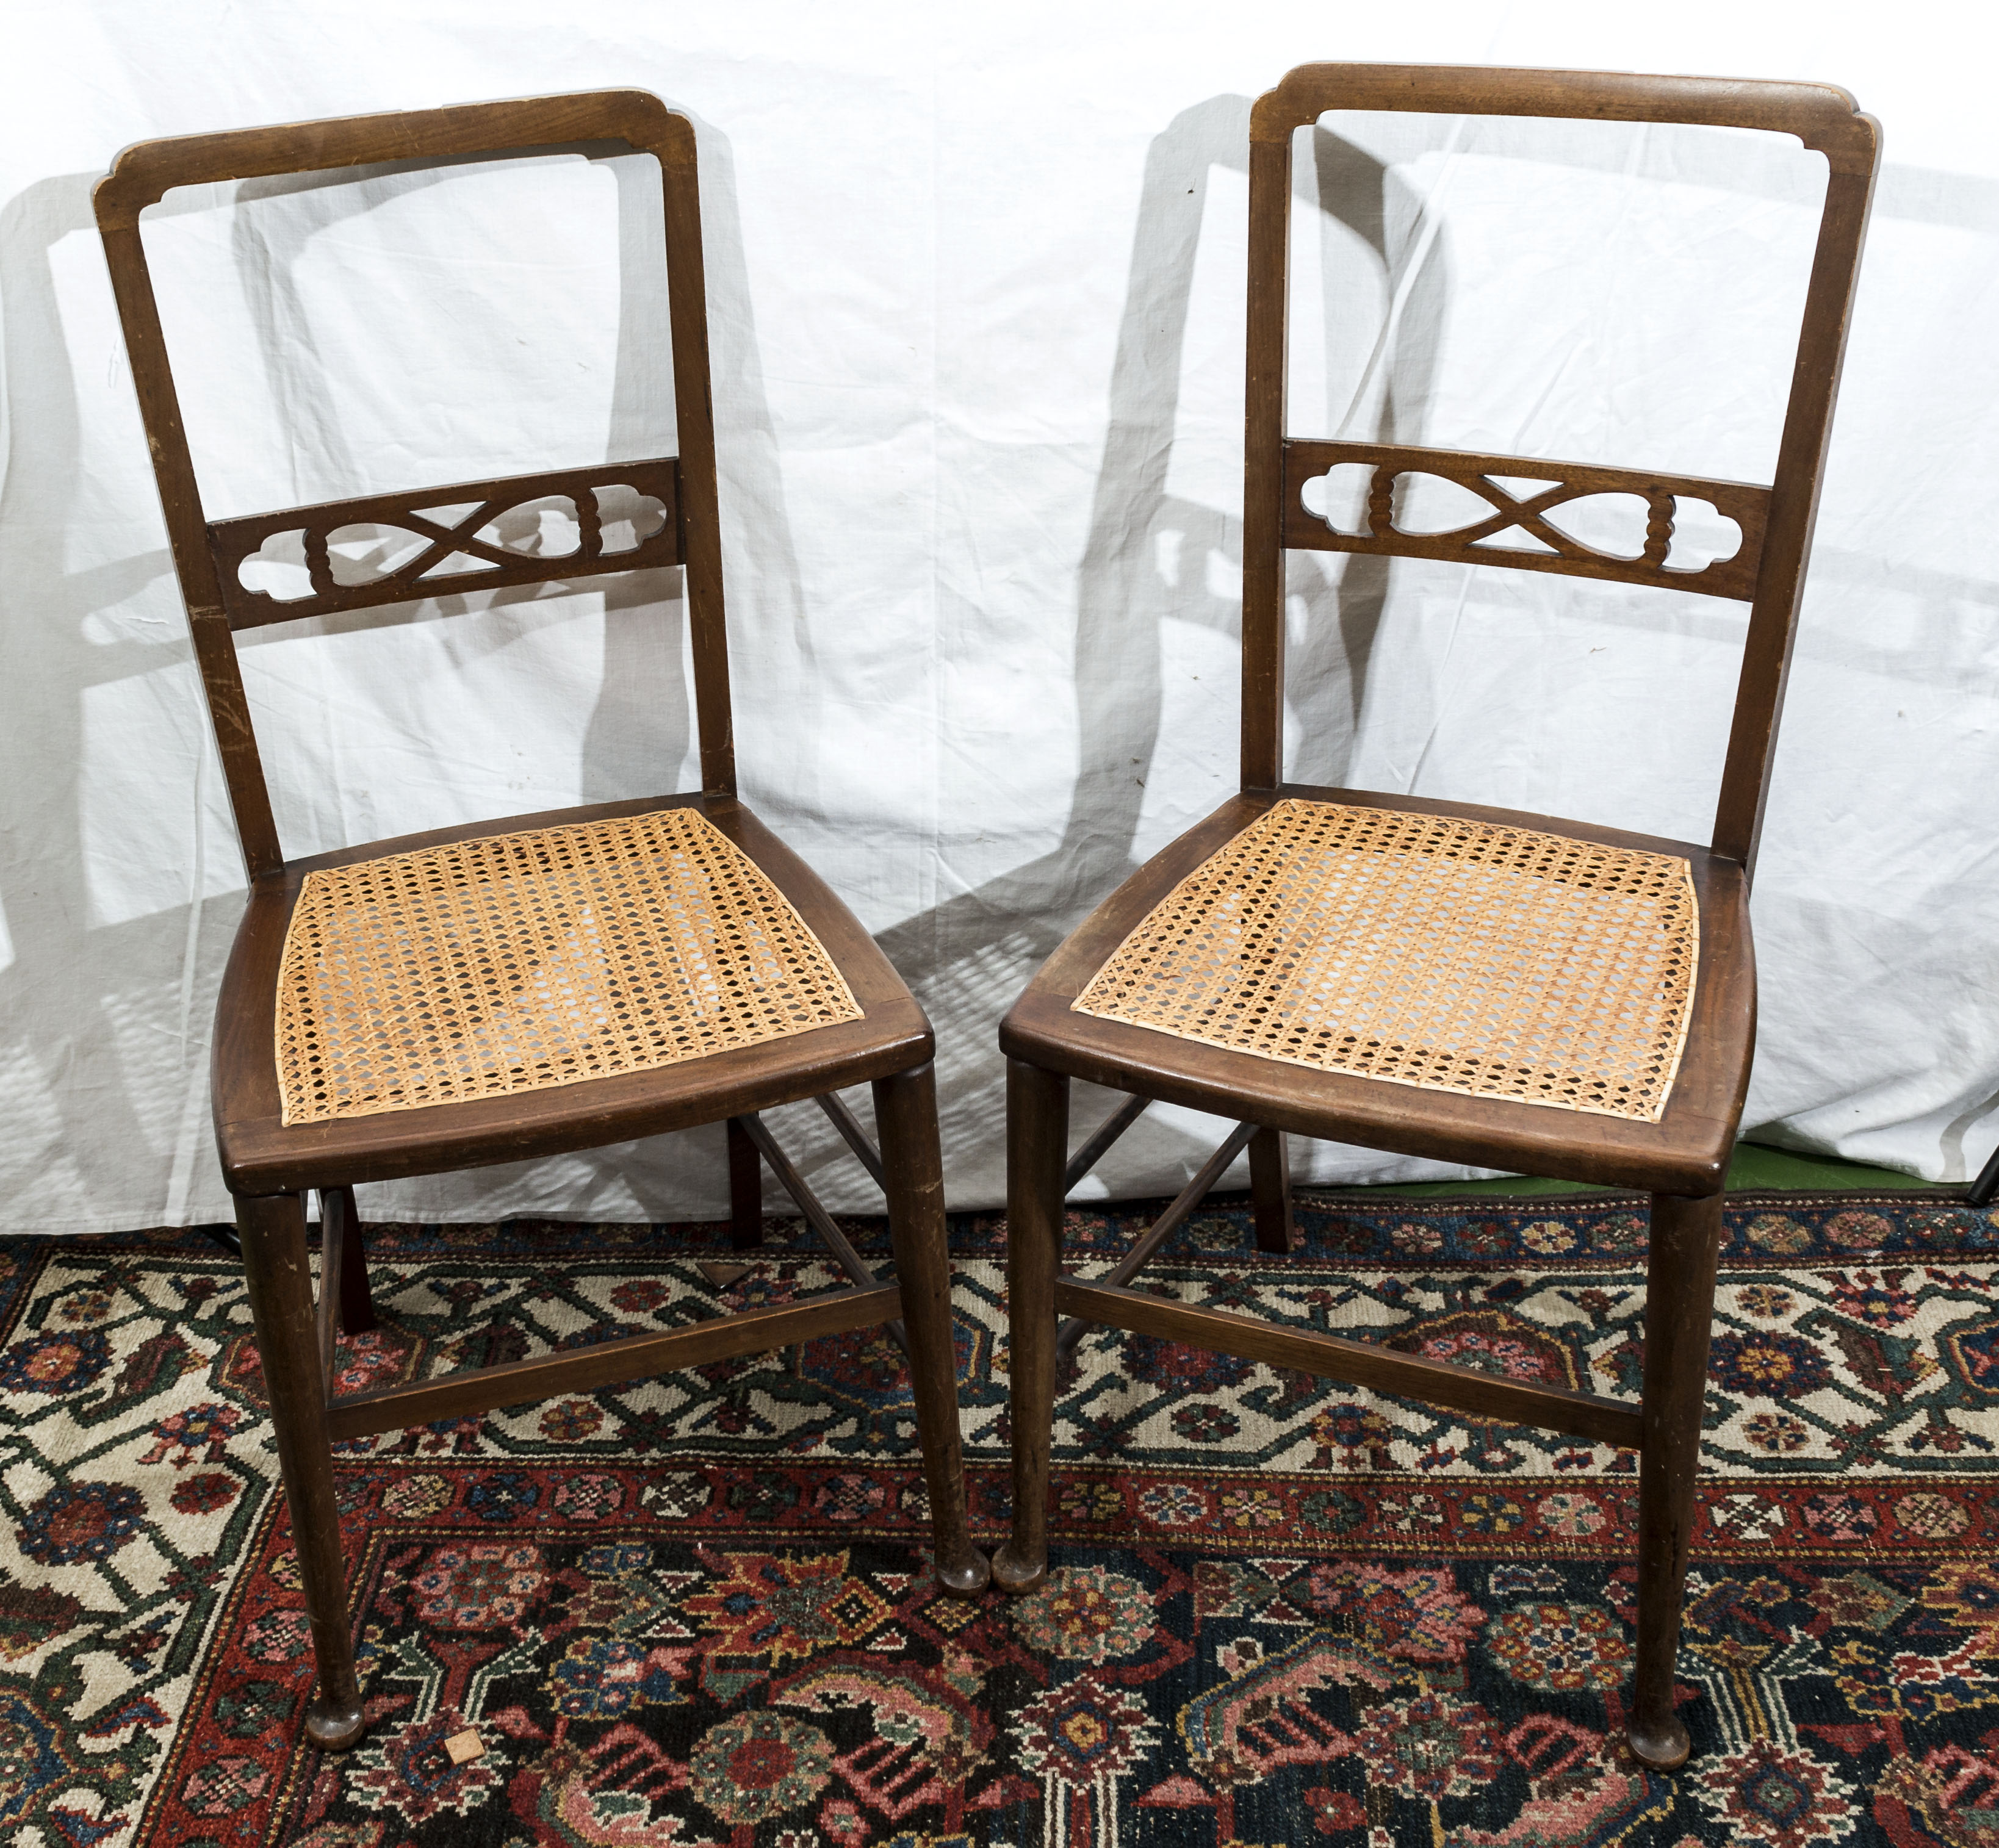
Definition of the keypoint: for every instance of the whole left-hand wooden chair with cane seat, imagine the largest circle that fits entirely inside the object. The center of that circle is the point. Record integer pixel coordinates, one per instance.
(529, 986)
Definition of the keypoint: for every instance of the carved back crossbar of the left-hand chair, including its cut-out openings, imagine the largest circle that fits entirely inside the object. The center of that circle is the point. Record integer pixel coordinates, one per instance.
(619, 516)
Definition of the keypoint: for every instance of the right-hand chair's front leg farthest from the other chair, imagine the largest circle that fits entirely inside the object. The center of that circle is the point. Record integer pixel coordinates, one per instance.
(1680, 1310)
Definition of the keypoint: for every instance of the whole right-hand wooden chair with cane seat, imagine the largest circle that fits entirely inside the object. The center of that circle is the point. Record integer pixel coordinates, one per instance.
(1434, 978)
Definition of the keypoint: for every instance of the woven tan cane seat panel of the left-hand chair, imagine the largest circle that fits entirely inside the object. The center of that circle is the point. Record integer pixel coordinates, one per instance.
(531, 960)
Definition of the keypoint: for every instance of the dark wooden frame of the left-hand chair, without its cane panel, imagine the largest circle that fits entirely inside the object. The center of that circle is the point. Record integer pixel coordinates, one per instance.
(269, 1164)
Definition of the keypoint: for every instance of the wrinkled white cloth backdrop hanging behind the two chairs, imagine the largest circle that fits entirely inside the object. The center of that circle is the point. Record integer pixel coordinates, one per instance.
(977, 299)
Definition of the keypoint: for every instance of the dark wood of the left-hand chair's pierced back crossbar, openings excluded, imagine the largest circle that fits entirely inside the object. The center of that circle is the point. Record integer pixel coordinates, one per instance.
(237, 540)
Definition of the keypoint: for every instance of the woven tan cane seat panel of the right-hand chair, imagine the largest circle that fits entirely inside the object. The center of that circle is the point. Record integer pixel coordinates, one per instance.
(1424, 950)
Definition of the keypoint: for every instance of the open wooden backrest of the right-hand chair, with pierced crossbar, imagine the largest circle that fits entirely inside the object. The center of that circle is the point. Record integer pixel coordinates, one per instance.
(1776, 522)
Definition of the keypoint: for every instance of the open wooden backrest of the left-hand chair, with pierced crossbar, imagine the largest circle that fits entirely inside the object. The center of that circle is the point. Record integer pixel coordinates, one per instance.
(209, 554)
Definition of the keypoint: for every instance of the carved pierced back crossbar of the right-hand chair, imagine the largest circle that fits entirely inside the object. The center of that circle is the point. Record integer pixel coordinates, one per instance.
(1520, 510)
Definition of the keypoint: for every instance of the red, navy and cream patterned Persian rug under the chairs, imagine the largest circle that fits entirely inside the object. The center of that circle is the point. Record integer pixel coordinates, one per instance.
(697, 1611)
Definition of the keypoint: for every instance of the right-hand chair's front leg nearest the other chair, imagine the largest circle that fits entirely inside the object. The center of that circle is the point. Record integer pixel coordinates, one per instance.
(1036, 1142)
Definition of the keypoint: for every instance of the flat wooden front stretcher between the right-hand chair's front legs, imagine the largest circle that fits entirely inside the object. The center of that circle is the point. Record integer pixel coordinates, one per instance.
(1360, 1364)
